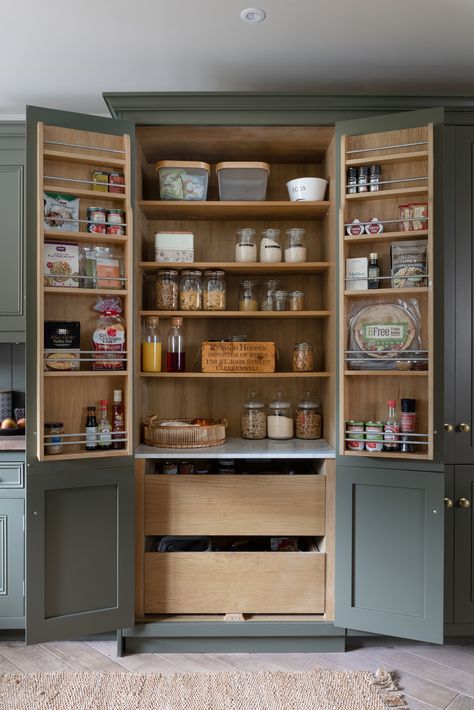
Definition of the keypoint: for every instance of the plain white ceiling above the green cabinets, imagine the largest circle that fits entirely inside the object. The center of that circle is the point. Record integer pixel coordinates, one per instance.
(64, 54)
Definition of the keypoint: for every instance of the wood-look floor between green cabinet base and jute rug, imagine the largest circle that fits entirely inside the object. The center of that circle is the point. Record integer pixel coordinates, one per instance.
(430, 676)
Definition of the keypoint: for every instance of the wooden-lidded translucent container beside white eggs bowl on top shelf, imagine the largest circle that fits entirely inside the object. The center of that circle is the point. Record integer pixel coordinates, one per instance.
(242, 181)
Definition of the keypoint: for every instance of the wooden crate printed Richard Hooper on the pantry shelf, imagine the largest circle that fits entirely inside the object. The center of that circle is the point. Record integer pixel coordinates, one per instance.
(238, 357)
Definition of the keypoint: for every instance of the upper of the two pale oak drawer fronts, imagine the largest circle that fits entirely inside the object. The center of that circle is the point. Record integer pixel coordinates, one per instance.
(235, 505)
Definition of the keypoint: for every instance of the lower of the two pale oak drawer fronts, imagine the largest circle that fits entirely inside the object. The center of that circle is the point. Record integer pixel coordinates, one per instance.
(234, 582)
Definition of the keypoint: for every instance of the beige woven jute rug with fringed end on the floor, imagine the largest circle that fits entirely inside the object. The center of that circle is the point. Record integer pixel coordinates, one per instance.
(309, 690)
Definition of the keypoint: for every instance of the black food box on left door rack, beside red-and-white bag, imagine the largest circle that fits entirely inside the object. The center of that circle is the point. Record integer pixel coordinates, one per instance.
(62, 345)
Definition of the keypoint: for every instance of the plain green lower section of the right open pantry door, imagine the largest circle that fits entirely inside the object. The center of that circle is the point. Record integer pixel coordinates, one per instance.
(389, 552)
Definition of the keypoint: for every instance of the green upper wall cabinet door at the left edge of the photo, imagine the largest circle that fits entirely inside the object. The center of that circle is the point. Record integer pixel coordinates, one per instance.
(12, 199)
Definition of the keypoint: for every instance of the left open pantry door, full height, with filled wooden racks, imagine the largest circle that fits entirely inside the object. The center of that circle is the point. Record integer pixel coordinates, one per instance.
(79, 486)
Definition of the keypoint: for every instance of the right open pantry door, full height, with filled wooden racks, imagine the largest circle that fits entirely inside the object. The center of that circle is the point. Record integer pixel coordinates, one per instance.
(389, 503)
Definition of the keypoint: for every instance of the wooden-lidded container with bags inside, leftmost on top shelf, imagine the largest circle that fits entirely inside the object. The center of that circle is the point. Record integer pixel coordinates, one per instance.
(183, 179)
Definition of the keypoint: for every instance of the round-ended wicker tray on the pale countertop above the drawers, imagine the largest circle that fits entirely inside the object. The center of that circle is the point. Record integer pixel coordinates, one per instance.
(183, 437)
